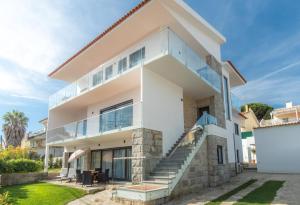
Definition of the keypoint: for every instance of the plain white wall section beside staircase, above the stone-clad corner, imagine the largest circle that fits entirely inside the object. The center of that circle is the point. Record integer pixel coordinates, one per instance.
(162, 107)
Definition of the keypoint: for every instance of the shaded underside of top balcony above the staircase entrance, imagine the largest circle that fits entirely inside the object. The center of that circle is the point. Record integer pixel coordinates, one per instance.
(171, 69)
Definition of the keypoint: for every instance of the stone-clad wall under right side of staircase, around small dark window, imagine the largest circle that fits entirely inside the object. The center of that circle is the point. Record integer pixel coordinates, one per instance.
(204, 170)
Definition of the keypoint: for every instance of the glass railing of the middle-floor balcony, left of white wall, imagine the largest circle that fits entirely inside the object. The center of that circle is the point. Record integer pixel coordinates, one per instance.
(115, 120)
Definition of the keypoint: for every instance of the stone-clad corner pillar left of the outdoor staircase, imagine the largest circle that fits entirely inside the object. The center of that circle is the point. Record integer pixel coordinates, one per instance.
(146, 152)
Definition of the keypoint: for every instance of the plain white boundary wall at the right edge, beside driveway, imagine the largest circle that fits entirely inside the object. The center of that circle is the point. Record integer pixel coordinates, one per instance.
(278, 149)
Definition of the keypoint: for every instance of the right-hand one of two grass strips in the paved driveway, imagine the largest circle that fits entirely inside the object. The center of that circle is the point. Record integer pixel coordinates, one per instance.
(264, 194)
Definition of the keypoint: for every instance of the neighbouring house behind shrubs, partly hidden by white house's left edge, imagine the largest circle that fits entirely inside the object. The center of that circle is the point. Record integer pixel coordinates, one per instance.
(36, 141)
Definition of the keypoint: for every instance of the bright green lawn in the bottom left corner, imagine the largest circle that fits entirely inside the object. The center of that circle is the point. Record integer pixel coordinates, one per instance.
(41, 193)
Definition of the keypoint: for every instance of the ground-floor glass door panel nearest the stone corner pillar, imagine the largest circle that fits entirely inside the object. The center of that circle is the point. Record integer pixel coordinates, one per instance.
(119, 164)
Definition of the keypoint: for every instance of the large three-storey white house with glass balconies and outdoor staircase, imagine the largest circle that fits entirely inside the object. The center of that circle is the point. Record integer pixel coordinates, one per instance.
(136, 92)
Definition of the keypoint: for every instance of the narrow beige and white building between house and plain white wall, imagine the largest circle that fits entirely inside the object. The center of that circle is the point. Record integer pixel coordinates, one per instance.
(248, 140)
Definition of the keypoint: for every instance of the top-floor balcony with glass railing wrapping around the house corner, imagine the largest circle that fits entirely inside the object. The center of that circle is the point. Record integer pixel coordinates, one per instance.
(152, 48)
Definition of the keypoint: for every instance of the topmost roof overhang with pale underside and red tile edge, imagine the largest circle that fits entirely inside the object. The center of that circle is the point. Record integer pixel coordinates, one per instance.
(151, 17)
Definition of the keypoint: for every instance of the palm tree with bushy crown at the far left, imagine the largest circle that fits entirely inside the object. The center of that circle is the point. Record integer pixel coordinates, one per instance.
(14, 128)
